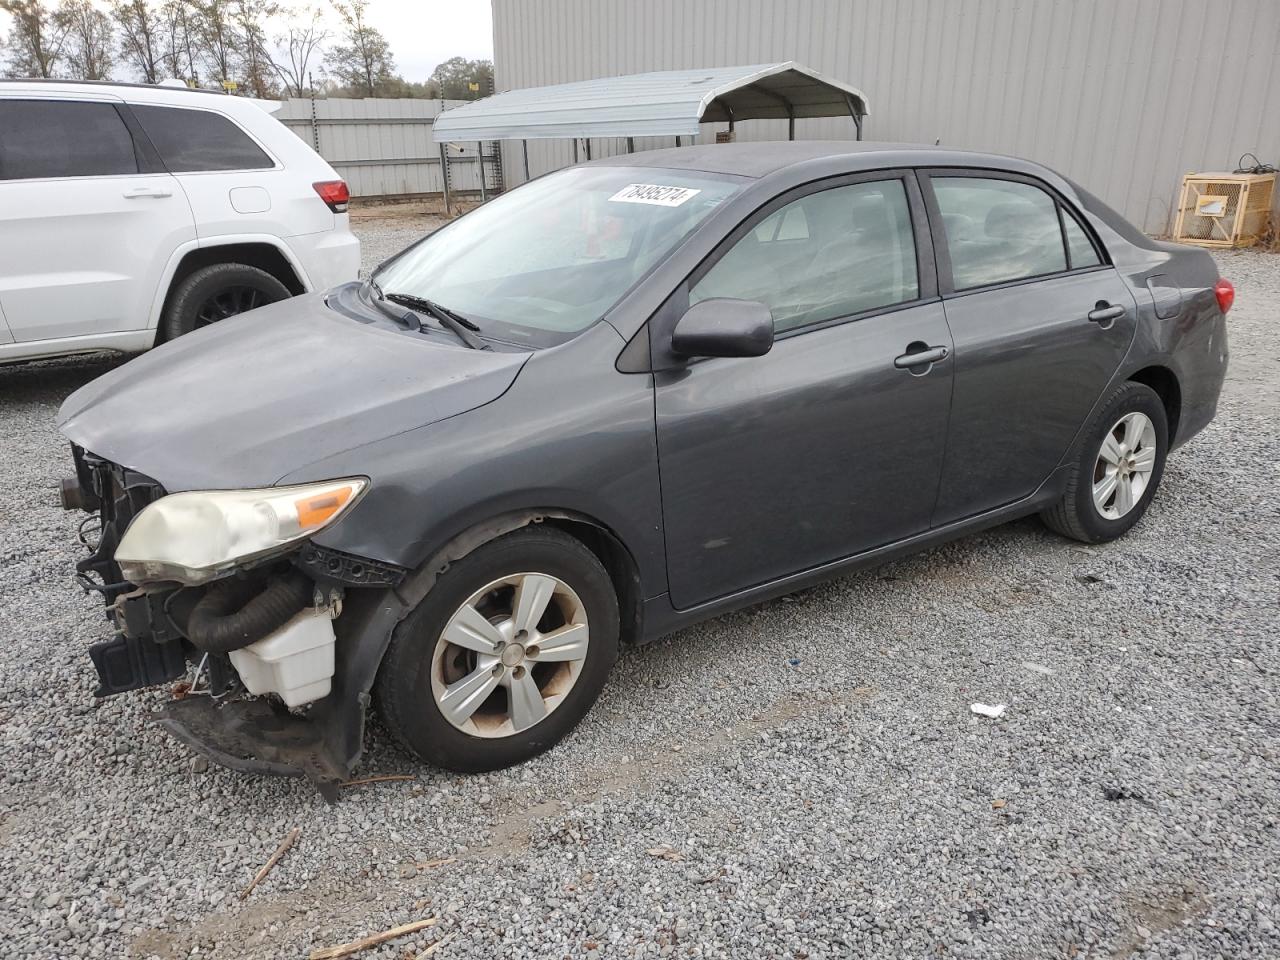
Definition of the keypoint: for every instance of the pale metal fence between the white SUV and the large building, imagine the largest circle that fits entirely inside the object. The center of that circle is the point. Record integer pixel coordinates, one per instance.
(383, 148)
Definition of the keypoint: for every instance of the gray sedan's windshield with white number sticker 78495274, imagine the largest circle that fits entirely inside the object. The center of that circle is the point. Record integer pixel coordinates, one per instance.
(550, 259)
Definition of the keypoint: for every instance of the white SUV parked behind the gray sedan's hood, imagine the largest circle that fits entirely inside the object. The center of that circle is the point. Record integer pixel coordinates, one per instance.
(134, 214)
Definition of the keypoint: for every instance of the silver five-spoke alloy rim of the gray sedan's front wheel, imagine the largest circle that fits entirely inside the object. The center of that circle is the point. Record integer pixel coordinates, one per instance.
(510, 655)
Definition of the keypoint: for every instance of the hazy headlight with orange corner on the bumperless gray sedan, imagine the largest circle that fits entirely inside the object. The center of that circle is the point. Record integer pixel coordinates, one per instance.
(195, 537)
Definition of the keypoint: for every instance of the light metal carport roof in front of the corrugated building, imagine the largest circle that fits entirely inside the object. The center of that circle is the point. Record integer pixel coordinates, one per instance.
(665, 104)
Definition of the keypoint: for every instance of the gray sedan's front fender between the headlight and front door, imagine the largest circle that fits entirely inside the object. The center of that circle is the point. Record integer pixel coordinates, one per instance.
(572, 436)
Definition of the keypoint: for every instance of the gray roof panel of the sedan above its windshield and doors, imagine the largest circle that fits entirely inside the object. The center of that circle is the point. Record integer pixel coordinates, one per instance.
(765, 158)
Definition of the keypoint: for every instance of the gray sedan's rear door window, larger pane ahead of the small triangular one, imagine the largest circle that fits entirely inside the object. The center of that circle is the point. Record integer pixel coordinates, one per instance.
(999, 231)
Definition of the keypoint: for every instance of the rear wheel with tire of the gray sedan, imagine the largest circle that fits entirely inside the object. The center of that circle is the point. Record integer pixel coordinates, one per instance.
(1078, 515)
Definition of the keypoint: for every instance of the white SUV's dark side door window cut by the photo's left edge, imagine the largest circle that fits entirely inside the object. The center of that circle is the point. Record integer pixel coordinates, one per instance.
(45, 139)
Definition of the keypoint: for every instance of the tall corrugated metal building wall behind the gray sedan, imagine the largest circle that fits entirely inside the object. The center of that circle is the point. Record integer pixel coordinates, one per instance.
(1124, 97)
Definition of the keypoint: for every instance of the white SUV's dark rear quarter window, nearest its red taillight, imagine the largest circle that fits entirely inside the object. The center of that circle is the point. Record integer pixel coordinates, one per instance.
(190, 141)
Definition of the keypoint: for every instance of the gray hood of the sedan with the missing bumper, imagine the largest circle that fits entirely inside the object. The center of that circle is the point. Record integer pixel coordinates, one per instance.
(249, 400)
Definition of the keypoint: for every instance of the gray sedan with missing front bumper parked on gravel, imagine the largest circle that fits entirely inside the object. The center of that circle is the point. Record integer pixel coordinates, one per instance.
(616, 401)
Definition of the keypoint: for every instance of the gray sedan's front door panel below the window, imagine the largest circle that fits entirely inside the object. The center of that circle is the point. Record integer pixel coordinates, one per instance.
(819, 450)
